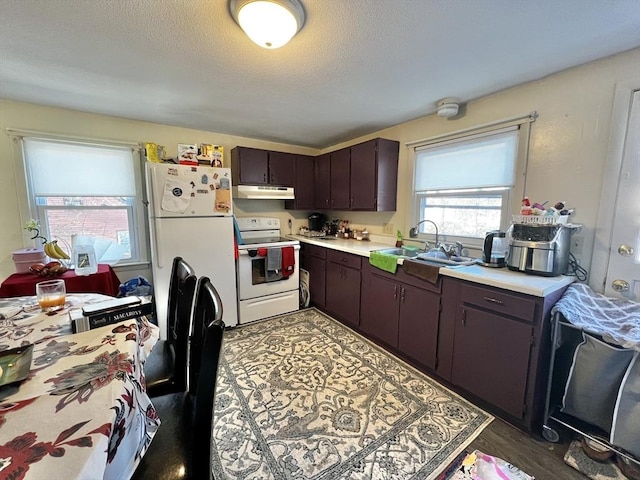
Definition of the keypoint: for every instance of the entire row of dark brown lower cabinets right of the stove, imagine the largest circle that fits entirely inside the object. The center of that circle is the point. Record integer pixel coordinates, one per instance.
(492, 345)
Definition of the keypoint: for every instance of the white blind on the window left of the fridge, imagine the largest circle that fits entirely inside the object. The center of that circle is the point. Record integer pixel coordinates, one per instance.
(58, 168)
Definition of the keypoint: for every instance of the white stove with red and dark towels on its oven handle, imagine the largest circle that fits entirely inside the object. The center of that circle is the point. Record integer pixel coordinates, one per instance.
(268, 270)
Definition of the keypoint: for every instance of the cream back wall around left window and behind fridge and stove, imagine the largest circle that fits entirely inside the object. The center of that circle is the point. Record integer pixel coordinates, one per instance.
(39, 118)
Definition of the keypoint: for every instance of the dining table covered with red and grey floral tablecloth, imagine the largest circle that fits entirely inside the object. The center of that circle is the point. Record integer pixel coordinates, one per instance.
(82, 412)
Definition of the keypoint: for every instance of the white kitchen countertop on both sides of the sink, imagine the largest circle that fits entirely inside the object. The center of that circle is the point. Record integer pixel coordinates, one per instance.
(496, 277)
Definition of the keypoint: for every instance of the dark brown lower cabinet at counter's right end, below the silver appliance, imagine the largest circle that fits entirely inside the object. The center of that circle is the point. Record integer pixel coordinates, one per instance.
(495, 344)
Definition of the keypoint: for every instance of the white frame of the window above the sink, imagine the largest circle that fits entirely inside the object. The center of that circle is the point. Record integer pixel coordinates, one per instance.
(511, 198)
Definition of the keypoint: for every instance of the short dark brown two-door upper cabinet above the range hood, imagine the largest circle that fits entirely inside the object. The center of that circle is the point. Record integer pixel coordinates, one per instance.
(254, 166)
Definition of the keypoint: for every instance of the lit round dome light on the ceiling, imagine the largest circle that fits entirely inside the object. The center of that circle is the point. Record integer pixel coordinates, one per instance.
(269, 23)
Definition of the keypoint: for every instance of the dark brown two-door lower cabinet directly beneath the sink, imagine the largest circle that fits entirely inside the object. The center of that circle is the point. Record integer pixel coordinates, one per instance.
(402, 316)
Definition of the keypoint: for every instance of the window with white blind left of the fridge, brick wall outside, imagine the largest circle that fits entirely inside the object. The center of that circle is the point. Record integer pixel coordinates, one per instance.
(86, 189)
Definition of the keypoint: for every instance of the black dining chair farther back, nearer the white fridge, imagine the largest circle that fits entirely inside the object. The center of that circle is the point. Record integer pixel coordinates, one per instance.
(166, 368)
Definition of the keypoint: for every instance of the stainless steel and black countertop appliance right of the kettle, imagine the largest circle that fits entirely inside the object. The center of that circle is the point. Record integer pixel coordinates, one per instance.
(540, 249)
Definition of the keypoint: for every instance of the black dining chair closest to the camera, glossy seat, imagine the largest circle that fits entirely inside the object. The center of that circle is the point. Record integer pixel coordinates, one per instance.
(181, 448)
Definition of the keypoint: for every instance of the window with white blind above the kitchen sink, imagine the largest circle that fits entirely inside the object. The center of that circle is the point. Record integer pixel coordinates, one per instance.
(464, 184)
